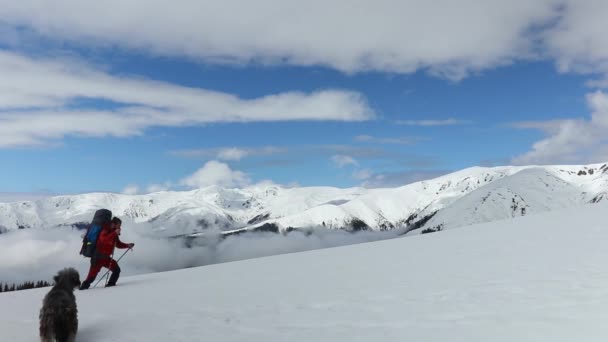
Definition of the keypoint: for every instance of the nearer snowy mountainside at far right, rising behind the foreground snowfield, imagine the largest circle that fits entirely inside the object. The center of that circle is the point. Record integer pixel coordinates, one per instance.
(529, 191)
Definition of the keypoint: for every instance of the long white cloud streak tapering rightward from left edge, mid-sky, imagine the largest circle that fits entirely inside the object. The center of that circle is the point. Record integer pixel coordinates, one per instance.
(36, 94)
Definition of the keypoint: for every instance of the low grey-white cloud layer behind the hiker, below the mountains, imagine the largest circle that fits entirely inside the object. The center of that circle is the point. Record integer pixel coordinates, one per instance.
(37, 254)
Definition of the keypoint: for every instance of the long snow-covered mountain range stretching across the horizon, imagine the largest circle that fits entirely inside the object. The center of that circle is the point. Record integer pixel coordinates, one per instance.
(470, 196)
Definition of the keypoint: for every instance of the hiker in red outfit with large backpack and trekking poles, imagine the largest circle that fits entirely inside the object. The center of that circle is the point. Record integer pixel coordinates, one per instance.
(104, 250)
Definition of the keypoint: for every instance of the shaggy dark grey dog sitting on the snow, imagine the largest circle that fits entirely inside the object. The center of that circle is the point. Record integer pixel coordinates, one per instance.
(59, 315)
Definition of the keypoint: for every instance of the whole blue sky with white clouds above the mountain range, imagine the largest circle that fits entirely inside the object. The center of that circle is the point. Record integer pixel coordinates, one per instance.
(89, 107)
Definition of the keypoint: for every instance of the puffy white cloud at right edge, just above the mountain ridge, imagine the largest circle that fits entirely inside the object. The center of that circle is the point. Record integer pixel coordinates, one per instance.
(570, 141)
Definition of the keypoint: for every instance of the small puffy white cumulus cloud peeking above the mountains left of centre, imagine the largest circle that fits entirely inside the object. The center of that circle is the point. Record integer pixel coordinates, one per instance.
(216, 173)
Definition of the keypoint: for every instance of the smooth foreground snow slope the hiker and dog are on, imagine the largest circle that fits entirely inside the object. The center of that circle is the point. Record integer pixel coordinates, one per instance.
(536, 278)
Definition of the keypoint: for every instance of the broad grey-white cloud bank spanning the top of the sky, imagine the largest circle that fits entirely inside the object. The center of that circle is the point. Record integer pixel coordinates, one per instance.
(449, 38)
